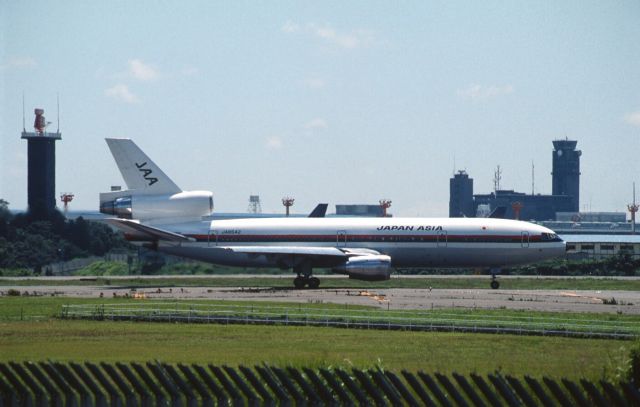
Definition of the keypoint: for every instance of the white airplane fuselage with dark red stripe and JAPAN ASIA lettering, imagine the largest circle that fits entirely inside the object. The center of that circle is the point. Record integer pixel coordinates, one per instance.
(410, 242)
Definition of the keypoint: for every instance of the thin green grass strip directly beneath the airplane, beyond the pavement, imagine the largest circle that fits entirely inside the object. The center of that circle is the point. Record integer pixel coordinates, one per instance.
(520, 283)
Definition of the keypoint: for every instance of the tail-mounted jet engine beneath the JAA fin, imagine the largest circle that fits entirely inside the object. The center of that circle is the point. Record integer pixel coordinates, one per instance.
(188, 204)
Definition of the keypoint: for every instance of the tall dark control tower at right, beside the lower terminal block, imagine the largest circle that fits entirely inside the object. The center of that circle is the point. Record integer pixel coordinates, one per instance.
(566, 171)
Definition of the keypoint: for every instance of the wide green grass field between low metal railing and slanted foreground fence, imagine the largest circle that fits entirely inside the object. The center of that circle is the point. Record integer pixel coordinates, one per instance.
(40, 335)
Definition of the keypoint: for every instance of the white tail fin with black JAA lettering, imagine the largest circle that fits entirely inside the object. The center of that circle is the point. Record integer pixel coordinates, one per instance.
(140, 173)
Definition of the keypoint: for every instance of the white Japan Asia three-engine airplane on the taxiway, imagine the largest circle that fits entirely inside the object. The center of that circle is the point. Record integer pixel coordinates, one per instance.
(156, 213)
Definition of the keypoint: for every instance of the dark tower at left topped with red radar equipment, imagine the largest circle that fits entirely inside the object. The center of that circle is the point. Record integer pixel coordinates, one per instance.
(42, 167)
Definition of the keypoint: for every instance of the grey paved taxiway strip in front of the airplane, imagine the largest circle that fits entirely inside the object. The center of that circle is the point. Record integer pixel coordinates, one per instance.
(627, 302)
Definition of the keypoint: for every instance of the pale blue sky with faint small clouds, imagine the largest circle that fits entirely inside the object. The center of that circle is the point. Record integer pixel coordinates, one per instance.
(339, 102)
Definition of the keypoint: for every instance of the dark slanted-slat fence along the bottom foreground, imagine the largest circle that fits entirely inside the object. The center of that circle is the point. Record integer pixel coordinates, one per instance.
(161, 384)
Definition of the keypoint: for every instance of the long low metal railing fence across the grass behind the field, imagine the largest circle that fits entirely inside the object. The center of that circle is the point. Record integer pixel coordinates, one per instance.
(357, 319)
